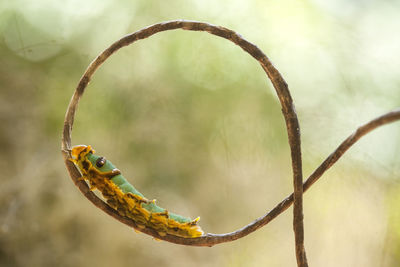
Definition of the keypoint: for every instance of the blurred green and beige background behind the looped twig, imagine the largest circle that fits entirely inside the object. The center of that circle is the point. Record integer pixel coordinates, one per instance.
(192, 120)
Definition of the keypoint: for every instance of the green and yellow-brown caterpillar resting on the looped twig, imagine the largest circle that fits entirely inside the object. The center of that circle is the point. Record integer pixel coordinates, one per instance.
(126, 199)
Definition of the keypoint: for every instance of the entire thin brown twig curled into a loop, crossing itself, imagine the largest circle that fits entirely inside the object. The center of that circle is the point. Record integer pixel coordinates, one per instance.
(293, 134)
